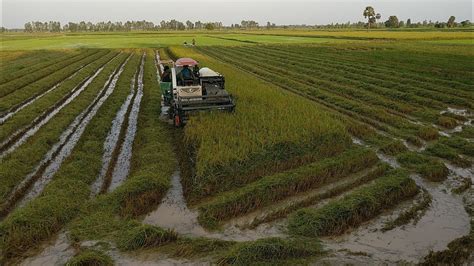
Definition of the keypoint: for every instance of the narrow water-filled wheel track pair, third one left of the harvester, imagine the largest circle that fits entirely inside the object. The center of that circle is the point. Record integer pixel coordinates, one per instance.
(20, 136)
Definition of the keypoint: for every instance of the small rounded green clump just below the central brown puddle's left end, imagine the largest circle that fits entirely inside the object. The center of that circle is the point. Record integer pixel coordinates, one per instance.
(145, 236)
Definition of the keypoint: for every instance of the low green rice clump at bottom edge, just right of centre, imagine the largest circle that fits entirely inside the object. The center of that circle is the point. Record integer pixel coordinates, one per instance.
(271, 251)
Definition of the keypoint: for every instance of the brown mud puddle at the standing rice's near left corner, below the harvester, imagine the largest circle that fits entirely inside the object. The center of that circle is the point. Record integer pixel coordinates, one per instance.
(173, 213)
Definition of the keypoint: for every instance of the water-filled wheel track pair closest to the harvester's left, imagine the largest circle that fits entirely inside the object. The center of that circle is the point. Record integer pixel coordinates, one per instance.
(119, 142)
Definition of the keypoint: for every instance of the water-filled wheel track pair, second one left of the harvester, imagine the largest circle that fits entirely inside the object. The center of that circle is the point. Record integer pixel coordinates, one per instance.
(46, 169)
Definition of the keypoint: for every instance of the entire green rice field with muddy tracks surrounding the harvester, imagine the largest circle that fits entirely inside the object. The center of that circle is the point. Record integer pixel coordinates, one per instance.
(338, 147)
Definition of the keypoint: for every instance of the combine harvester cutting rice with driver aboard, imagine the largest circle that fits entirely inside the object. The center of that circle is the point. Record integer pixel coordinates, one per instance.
(204, 90)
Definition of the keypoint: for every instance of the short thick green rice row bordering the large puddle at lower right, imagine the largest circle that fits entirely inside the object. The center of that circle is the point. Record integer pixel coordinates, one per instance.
(360, 205)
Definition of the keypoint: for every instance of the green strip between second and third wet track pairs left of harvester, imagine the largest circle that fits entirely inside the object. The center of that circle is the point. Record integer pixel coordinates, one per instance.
(18, 164)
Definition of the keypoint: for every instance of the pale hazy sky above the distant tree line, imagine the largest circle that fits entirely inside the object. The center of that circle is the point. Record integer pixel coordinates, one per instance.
(16, 12)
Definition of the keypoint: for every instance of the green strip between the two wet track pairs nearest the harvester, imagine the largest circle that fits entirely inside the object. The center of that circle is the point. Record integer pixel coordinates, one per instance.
(62, 198)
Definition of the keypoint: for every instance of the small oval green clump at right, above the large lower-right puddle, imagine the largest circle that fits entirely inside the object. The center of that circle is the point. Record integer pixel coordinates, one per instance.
(428, 167)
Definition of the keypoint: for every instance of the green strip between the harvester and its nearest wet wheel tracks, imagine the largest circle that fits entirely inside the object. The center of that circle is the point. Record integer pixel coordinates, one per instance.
(153, 163)
